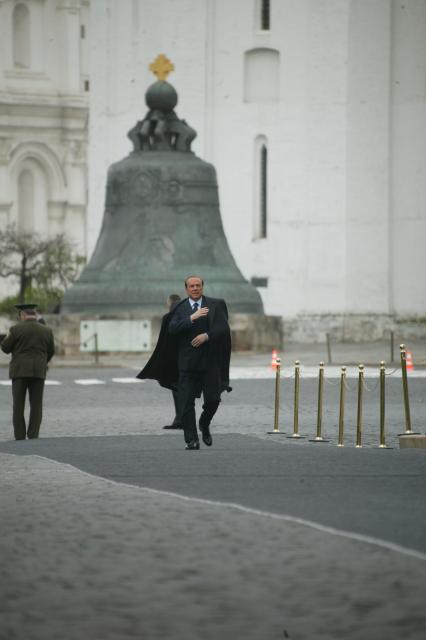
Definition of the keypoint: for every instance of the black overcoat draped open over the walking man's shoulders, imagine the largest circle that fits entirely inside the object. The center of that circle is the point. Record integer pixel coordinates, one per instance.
(163, 364)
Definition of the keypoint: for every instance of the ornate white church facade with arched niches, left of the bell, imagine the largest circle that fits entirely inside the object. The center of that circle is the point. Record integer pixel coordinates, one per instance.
(43, 119)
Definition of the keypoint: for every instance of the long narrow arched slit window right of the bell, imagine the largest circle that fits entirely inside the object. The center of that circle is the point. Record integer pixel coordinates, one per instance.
(261, 188)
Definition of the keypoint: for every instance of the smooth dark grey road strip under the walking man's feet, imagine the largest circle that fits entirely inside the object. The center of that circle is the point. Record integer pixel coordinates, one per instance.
(375, 493)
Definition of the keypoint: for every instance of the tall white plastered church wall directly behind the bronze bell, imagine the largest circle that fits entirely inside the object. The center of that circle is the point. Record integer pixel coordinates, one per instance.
(346, 164)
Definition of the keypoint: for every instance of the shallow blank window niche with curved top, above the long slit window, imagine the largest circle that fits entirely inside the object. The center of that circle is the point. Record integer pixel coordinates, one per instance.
(261, 75)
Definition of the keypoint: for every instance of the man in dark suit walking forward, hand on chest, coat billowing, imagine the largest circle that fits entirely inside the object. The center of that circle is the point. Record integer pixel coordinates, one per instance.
(194, 350)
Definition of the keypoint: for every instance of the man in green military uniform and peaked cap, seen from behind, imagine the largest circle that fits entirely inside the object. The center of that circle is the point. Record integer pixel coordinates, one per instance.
(32, 346)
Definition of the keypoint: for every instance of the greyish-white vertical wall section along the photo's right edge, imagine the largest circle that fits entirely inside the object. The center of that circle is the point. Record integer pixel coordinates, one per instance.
(409, 158)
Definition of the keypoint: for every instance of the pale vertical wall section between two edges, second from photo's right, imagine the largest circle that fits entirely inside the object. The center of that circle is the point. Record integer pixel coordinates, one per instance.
(368, 177)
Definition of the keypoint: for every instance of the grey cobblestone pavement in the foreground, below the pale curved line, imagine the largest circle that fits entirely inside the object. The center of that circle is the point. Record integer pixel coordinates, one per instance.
(87, 559)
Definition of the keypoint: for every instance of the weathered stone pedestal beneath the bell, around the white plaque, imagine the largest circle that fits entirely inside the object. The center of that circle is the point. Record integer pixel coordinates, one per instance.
(250, 332)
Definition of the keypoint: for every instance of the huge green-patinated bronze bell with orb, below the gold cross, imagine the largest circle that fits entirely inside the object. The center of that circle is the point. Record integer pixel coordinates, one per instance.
(161, 223)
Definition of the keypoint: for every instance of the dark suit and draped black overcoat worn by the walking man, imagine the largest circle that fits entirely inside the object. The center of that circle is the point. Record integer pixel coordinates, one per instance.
(173, 356)
